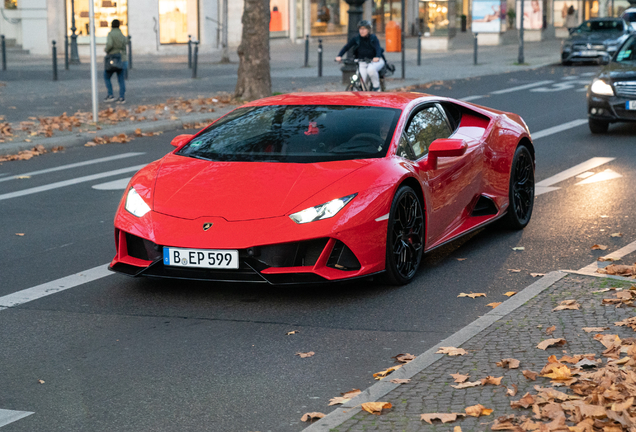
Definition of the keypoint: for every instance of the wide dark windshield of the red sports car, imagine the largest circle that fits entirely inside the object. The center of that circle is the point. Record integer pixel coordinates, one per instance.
(296, 133)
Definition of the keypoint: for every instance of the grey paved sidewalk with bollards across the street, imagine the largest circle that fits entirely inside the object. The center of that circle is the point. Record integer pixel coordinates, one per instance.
(27, 92)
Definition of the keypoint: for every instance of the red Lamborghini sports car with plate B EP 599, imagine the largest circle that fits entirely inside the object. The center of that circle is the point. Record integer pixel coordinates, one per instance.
(307, 188)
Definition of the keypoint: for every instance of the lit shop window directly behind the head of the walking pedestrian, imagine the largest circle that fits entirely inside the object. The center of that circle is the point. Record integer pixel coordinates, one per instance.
(105, 12)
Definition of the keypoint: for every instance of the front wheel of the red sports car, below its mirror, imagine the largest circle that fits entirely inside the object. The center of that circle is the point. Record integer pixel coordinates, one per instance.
(405, 237)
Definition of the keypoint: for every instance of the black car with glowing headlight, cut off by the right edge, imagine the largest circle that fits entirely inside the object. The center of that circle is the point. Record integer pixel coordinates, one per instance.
(612, 96)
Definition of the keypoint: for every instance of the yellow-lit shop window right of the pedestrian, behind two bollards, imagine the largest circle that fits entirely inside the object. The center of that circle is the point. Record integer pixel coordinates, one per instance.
(177, 20)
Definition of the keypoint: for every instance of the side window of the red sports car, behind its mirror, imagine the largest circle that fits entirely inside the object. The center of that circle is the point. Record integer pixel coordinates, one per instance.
(425, 127)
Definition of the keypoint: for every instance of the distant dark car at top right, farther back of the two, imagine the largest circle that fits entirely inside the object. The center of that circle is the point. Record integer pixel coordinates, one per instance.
(595, 40)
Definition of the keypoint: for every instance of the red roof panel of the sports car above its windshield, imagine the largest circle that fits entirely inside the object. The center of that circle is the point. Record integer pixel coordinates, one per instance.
(397, 100)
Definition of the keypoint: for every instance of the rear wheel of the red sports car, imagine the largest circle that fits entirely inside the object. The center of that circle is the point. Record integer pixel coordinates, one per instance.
(521, 189)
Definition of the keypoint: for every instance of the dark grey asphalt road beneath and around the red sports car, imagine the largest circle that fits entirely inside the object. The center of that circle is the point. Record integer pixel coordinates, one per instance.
(138, 355)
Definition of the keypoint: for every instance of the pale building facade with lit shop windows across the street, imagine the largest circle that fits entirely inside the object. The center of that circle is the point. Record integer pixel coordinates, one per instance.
(163, 27)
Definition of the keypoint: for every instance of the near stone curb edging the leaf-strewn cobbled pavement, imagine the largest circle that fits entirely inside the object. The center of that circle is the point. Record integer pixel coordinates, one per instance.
(421, 362)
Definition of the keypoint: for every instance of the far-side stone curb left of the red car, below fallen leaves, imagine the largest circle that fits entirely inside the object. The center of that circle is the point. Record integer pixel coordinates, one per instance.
(82, 138)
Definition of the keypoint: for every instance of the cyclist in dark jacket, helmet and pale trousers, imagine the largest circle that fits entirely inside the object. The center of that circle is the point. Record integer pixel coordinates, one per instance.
(366, 46)
